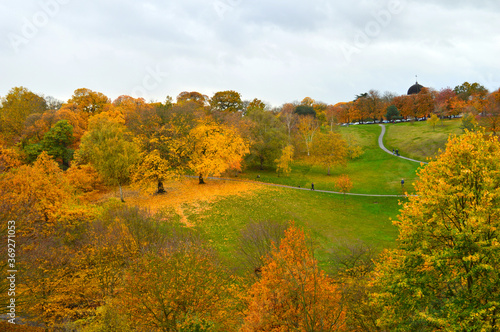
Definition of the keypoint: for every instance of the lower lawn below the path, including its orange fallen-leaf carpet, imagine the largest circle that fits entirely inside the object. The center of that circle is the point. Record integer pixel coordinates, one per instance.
(222, 209)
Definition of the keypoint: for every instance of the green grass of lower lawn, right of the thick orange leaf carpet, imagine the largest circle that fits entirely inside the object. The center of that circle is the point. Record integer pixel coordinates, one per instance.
(329, 218)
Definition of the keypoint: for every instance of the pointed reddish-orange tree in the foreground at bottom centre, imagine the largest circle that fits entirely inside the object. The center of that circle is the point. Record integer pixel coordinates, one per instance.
(293, 293)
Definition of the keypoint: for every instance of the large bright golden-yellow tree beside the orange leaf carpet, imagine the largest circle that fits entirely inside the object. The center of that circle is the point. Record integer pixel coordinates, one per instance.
(214, 149)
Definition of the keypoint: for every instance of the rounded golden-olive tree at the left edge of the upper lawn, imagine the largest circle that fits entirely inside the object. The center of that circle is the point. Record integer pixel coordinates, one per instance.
(328, 150)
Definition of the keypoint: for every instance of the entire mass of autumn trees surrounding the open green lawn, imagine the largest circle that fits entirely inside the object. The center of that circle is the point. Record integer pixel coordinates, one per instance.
(110, 266)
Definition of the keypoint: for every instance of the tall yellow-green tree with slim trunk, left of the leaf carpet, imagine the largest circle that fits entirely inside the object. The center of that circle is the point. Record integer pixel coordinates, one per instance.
(108, 147)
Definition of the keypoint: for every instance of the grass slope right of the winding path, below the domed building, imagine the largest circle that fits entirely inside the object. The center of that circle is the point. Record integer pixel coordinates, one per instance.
(420, 140)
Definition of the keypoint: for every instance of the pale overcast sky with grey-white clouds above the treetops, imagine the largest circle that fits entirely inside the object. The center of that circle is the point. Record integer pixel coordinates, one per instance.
(275, 50)
